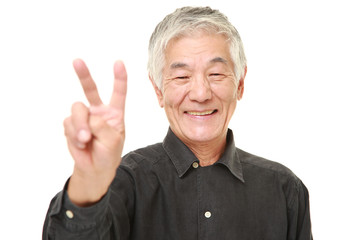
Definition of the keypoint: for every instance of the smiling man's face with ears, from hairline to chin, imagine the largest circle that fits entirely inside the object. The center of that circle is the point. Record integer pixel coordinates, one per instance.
(199, 87)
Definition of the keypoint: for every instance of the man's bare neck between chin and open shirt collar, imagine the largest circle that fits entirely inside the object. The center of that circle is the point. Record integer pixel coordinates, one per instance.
(209, 152)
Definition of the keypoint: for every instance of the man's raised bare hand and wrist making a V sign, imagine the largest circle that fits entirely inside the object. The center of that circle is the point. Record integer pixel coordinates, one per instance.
(95, 137)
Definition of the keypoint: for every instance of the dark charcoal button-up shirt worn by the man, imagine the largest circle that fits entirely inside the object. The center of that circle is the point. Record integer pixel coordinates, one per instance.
(161, 192)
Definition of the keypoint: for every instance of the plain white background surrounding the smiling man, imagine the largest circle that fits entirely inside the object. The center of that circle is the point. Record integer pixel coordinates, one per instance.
(300, 107)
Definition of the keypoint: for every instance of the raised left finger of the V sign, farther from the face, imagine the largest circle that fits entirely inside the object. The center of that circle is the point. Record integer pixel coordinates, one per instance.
(87, 82)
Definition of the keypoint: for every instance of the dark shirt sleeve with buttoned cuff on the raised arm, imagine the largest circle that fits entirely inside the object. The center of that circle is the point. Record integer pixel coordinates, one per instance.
(108, 219)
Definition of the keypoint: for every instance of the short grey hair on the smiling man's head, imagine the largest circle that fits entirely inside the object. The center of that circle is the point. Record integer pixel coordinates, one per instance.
(185, 21)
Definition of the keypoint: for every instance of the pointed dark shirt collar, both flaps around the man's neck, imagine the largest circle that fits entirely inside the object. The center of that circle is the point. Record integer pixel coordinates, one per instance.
(183, 158)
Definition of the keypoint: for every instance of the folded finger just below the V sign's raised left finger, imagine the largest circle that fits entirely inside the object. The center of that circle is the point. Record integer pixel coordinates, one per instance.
(80, 122)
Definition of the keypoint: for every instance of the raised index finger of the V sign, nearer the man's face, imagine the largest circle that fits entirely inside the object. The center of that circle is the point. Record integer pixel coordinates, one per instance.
(120, 86)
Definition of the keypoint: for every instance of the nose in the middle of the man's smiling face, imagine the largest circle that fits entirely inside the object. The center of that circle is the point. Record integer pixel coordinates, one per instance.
(200, 89)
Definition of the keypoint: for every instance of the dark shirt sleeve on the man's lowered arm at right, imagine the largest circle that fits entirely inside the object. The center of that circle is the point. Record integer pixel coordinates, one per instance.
(299, 227)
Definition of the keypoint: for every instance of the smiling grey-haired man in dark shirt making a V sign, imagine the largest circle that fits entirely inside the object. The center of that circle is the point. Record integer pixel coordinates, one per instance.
(194, 185)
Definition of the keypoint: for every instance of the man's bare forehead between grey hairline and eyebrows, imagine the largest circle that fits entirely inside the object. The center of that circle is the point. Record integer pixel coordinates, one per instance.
(212, 48)
